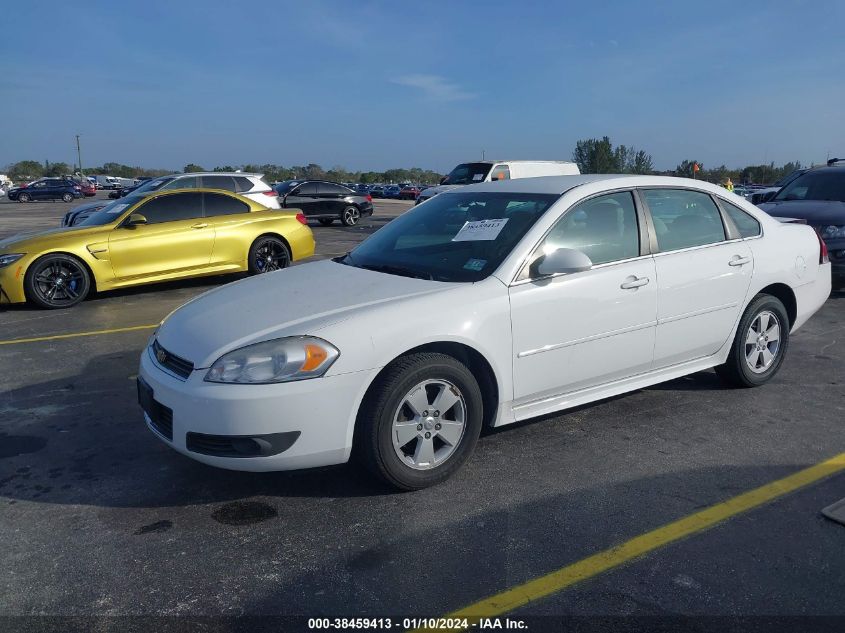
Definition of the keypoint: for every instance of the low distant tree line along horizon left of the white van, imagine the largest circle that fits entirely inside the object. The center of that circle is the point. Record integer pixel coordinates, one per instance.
(31, 169)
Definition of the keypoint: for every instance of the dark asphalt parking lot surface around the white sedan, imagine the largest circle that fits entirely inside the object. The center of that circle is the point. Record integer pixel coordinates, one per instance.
(97, 517)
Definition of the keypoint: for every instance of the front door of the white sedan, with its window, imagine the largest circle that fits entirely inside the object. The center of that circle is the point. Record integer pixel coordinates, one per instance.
(575, 331)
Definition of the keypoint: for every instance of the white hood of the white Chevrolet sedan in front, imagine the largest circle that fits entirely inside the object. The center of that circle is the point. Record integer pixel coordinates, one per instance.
(296, 301)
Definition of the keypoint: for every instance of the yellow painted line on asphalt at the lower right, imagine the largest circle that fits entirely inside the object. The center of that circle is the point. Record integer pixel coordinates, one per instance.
(587, 568)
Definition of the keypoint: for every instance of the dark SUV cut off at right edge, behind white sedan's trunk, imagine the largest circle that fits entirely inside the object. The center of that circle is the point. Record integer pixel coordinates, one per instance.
(818, 196)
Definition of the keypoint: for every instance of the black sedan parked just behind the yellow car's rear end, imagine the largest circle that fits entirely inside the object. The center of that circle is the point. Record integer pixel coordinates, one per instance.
(324, 201)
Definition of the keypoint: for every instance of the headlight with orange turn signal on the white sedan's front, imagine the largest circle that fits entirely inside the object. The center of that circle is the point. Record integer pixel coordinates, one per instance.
(280, 360)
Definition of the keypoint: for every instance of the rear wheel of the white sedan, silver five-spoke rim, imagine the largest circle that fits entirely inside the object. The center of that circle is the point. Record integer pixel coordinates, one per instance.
(756, 356)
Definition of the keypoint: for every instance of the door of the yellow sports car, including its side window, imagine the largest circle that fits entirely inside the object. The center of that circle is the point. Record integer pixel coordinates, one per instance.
(176, 238)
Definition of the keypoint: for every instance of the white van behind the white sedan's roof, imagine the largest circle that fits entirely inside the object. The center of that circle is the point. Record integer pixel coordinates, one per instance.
(488, 170)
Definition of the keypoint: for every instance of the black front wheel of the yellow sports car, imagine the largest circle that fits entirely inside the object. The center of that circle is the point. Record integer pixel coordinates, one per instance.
(56, 281)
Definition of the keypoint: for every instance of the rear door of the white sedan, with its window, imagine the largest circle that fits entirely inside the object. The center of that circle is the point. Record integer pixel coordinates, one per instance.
(703, 274)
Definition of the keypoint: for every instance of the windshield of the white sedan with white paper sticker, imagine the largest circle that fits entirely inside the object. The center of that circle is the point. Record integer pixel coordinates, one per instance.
(456, 236)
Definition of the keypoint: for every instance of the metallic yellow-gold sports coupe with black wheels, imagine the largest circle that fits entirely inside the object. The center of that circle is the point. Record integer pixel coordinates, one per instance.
(147, 238)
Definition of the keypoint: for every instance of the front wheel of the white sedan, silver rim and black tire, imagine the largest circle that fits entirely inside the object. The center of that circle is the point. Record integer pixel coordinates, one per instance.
(433, 378)
